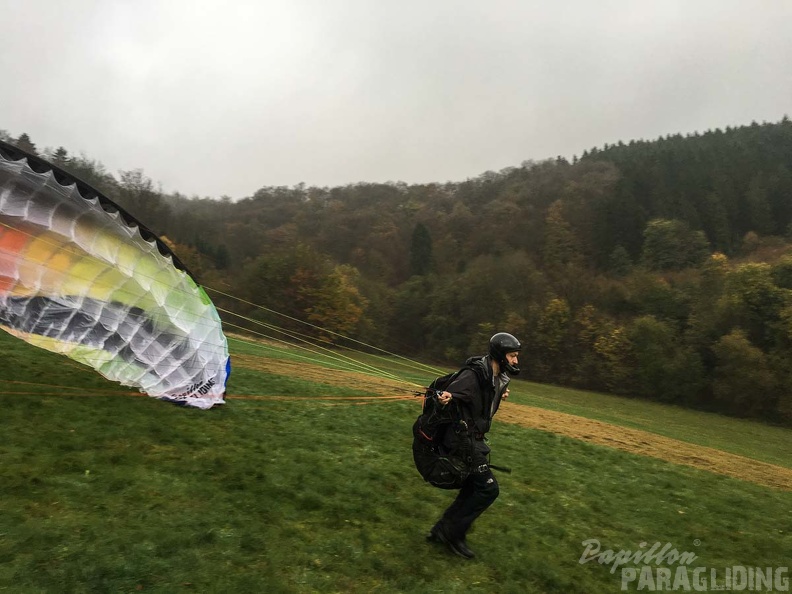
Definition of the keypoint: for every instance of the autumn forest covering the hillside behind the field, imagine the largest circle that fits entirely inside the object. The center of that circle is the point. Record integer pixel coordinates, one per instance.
(657, 269)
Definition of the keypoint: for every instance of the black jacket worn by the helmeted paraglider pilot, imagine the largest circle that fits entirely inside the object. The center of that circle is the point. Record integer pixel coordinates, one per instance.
(476, 392)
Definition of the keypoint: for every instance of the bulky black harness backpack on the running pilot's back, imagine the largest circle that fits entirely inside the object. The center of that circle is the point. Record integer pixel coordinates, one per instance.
(443, 441)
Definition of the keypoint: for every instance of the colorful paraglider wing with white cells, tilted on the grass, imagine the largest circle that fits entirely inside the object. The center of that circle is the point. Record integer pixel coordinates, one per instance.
(80, 277)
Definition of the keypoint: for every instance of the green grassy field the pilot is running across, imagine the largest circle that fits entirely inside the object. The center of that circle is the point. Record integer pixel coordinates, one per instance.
(102, 491)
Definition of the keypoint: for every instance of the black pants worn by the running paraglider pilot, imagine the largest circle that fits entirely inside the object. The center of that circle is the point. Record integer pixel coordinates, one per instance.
(478, 492)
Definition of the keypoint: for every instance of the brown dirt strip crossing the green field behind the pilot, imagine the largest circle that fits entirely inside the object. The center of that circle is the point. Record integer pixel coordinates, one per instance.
(634, 441)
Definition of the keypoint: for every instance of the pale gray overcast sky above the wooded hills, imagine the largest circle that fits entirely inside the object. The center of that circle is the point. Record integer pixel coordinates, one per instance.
(212, 98)
